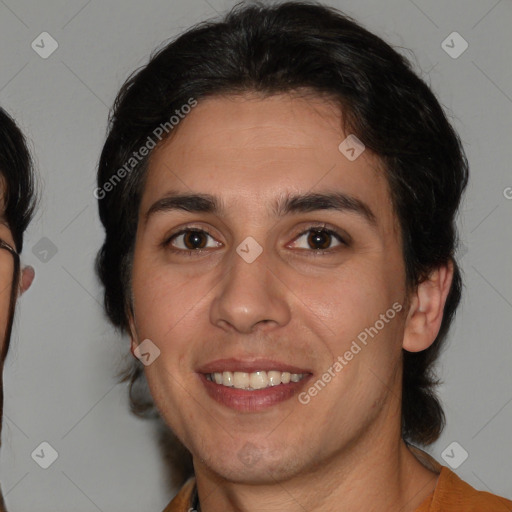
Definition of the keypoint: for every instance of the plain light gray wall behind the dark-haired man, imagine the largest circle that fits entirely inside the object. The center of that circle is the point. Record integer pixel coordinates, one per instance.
(60, 374)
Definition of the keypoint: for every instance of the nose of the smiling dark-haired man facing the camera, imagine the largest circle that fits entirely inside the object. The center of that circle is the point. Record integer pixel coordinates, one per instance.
(250, 295)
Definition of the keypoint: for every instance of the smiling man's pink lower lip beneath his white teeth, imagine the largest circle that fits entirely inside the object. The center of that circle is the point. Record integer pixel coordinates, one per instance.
(252, 401)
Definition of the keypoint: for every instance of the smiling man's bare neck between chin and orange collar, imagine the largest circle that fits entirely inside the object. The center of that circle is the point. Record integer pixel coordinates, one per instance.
(369, 476)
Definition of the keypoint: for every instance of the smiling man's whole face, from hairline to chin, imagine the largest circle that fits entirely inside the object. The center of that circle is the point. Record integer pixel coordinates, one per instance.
(292, 309)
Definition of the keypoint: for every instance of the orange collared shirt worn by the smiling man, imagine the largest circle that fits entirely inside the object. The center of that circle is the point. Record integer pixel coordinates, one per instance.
(451, 494)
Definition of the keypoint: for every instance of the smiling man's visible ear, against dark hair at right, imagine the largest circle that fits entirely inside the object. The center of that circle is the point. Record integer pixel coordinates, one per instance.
(426, 309)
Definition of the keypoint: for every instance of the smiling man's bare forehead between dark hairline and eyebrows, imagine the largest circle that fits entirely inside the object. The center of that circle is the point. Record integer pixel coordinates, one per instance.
(249, 150)
